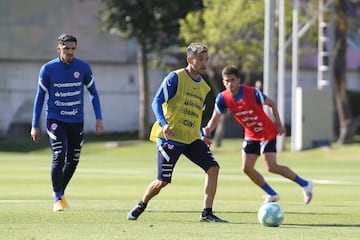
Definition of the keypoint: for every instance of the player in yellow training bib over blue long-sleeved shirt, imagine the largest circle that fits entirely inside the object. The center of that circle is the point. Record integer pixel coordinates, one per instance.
(178, 106)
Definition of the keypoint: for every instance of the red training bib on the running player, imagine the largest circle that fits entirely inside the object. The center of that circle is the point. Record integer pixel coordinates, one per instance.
(251, 115)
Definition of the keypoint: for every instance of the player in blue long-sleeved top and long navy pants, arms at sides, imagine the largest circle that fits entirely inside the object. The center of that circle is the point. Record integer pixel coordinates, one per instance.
(63, 79)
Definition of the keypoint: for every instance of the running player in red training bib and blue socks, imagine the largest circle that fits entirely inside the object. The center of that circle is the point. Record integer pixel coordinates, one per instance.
(246, 105)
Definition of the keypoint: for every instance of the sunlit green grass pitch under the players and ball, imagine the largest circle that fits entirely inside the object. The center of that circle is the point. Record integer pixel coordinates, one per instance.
(112, 177)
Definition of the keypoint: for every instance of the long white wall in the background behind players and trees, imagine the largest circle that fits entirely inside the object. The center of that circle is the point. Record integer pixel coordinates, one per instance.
(118, 87)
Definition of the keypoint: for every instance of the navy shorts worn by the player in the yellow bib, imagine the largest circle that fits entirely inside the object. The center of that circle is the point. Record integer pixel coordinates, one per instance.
(168, 154)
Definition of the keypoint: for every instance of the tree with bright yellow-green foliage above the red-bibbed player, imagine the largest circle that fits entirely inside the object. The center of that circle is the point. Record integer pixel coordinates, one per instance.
(234, 33)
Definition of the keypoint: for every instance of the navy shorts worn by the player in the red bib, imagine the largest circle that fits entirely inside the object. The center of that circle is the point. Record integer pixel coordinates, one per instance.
(259, 147)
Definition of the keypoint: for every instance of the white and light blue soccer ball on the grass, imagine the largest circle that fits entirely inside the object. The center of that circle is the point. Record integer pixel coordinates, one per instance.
(270, 215)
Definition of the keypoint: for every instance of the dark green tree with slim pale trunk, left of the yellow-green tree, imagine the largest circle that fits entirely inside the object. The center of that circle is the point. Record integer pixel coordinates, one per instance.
(155, 25)
